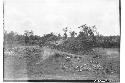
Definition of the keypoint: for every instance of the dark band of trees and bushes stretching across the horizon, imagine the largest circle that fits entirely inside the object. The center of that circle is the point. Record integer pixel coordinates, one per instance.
(87, 38)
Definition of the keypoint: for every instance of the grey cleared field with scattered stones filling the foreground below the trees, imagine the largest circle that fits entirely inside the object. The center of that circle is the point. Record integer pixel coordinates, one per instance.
(33, 62)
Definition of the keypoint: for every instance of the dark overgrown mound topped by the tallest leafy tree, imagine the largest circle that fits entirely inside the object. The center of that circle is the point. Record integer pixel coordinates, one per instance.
(84, 42)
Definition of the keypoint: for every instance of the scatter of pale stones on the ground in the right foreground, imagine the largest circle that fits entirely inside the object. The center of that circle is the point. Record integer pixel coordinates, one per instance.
(79, 64)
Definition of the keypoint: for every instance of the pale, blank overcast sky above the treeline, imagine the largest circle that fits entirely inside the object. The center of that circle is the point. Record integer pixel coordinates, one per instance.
(45, 16)
